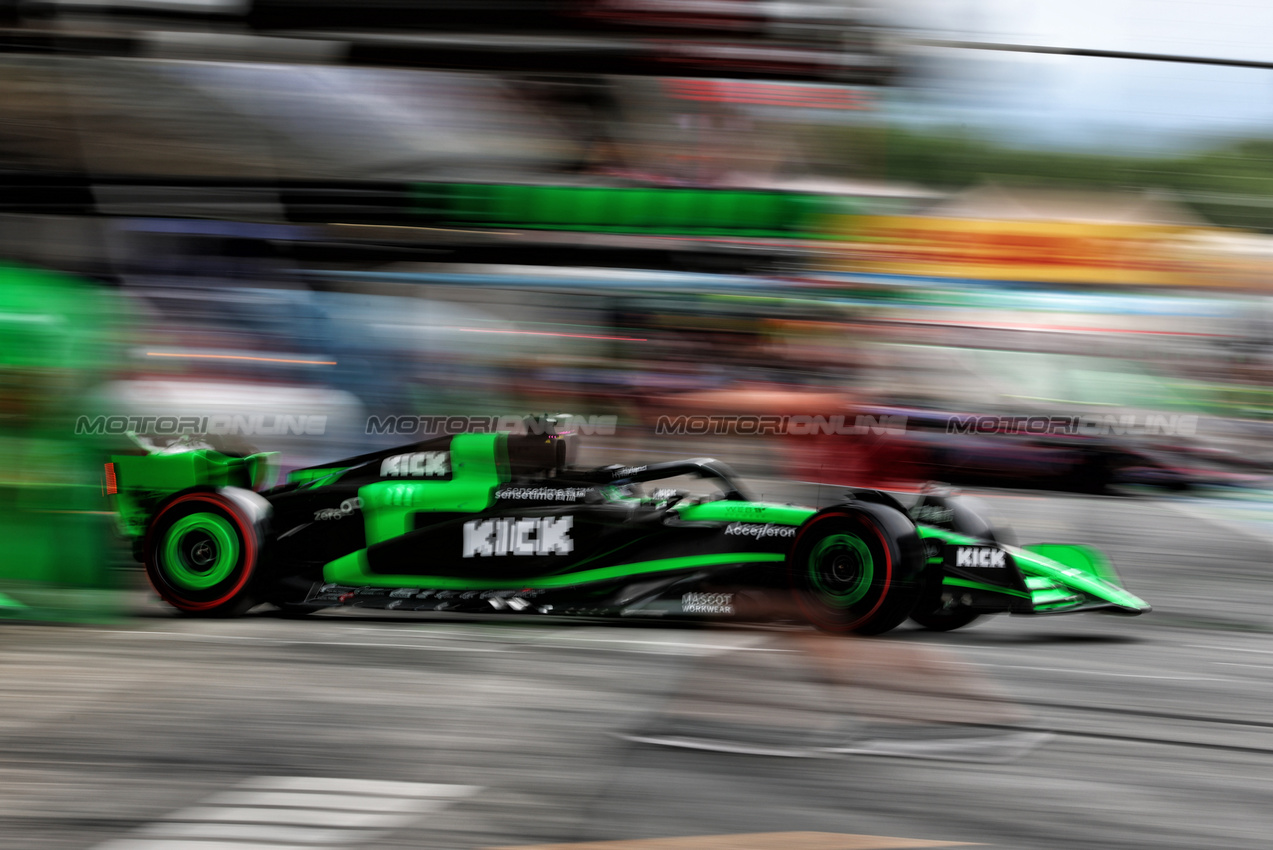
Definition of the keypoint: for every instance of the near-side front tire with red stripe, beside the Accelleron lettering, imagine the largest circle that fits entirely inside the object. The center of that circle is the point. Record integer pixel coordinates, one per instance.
(856, 572)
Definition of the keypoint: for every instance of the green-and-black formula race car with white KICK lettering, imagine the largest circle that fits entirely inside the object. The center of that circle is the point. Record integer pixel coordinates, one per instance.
(505, 522)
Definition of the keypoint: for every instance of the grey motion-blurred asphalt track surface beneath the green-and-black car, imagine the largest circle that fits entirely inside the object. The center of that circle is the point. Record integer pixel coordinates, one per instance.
(160, 732)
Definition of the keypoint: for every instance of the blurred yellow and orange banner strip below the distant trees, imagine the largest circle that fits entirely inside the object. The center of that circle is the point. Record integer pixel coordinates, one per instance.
(1037, 251)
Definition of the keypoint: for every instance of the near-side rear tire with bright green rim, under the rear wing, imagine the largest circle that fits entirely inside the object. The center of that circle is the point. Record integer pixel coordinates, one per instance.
(202, 555)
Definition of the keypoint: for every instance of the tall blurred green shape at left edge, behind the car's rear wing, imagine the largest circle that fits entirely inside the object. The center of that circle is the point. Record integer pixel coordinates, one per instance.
(57, 344)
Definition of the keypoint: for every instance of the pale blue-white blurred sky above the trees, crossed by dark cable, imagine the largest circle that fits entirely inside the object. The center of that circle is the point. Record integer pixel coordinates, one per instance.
(1070, 101)
